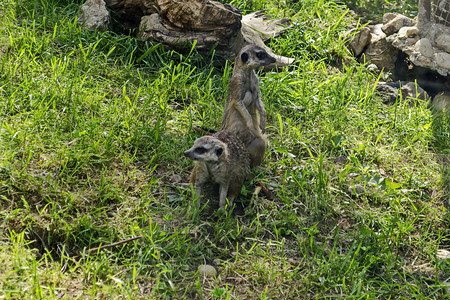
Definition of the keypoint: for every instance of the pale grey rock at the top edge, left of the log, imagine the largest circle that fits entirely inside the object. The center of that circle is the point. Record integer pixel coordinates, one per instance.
(93, 15)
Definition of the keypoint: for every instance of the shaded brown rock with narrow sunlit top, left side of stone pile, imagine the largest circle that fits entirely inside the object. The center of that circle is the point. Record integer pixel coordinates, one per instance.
(379, 51)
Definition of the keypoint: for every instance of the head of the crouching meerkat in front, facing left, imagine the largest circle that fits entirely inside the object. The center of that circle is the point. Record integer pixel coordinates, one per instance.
(207, 148)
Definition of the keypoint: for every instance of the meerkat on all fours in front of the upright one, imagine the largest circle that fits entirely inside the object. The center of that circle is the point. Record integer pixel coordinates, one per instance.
(221, 158)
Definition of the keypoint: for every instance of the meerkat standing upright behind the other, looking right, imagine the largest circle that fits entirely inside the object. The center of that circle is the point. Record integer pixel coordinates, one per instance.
(245, 115)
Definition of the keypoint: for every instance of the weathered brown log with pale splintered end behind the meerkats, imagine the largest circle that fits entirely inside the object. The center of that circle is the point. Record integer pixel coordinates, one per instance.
(210, 25)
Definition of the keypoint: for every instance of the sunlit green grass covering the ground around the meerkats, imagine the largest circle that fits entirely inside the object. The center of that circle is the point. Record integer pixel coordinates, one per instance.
(93, 127)
